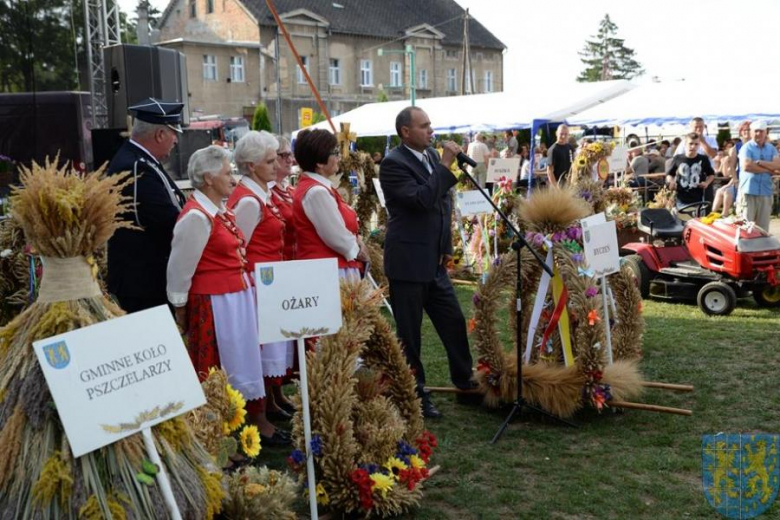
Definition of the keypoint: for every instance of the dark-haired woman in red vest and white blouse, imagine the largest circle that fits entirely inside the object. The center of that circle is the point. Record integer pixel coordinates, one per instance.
(325, 226)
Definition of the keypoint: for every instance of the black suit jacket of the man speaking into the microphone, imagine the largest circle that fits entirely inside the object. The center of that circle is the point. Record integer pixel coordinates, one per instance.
(419, 228)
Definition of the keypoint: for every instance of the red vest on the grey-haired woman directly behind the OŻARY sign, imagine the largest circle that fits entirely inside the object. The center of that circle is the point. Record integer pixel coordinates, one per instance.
(267, 241)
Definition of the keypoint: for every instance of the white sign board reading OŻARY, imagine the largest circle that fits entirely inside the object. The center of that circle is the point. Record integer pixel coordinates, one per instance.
(297, 299)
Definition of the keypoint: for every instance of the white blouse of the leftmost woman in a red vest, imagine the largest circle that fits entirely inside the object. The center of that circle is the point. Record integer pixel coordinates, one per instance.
(190, 236)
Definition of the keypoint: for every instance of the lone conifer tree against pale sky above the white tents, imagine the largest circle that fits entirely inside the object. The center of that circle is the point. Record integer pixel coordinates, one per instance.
(606, 56)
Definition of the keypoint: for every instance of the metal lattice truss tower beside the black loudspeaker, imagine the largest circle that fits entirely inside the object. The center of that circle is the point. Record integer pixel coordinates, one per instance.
(101, 19)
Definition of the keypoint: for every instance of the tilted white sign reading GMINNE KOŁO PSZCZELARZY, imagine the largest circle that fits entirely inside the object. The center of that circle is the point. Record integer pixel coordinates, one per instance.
(115, 378)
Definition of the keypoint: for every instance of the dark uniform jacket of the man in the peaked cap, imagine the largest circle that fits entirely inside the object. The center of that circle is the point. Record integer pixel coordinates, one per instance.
(138, 258)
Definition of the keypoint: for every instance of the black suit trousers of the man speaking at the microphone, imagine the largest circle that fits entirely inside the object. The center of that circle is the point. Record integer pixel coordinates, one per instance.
(438, 299)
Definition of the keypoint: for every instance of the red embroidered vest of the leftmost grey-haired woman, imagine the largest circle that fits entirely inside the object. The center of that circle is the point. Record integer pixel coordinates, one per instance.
(223, 263)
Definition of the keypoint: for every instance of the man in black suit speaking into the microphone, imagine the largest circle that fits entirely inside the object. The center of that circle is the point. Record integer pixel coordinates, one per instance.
(418, 245)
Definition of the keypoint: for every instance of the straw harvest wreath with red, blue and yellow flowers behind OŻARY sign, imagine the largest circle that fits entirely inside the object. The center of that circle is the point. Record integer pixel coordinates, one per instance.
(370, 450)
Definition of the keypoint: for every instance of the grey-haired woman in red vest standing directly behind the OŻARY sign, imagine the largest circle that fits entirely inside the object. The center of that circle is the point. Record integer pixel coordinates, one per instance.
(264, 226)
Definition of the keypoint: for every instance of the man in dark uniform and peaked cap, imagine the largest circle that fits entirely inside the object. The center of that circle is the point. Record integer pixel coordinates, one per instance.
(137, 258)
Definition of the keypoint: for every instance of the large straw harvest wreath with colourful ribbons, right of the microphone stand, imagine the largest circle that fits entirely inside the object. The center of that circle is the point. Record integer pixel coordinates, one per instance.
(553, 380)
